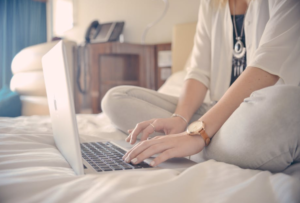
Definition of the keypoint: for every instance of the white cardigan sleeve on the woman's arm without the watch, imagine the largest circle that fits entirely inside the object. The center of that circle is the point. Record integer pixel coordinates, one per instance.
(199, 66)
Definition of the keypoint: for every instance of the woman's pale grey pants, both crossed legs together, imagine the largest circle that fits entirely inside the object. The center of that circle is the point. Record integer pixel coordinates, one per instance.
(263, 133)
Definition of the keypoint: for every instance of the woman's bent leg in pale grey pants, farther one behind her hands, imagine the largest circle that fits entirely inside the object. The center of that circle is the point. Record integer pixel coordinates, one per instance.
(128, 105)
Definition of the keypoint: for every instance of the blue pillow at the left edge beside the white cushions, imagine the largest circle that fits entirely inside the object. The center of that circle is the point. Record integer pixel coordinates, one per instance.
(10, 103)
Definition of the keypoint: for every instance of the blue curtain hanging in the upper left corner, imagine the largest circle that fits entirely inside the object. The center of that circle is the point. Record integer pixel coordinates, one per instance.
(22, 24)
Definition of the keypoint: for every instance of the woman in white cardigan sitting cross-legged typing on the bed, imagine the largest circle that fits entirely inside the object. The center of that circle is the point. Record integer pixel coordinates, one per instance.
(255, 122)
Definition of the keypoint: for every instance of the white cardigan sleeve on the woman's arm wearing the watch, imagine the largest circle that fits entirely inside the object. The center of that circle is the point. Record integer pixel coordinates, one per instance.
(279, 49)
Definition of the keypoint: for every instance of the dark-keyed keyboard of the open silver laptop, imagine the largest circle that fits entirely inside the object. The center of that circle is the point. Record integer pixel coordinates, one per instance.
(107, 157)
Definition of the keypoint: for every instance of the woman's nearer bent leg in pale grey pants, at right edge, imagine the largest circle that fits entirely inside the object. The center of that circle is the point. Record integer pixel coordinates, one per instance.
(263, 133)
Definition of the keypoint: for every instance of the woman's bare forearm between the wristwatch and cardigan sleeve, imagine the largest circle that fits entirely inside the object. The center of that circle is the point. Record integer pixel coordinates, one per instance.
(251, 80)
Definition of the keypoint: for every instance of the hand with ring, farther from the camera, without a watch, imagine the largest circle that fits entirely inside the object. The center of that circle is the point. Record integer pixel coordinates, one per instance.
(167, 126)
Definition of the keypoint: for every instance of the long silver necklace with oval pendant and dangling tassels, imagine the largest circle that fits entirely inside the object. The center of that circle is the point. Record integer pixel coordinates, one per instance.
(239, 50)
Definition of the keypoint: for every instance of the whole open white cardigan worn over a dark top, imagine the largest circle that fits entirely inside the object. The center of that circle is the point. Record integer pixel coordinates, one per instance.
(272, 31)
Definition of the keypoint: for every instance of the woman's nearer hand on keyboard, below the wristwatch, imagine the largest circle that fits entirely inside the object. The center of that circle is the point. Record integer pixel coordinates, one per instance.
(170, 146)
